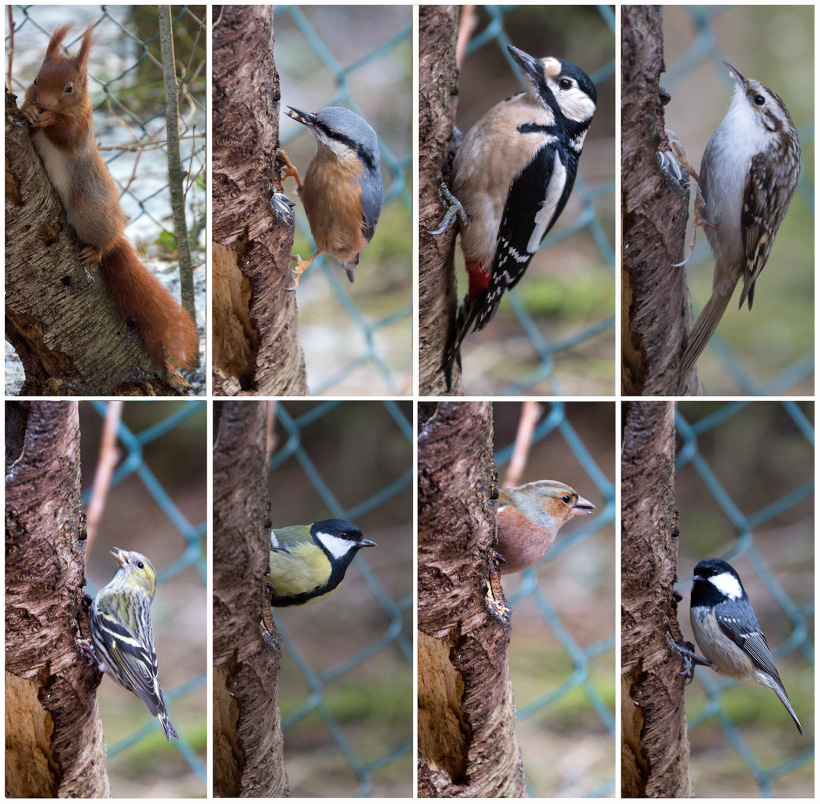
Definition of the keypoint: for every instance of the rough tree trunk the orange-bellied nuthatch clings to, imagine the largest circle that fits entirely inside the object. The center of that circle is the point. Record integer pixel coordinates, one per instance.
(255, 347)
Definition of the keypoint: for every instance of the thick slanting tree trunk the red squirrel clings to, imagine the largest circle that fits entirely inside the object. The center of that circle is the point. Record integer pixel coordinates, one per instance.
(60, 319)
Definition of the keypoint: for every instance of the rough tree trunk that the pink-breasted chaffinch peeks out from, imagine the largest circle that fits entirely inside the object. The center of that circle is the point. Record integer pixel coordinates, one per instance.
(467, 743)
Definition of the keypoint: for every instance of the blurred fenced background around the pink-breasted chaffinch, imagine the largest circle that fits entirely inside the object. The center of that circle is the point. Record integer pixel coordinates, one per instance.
(567, 606)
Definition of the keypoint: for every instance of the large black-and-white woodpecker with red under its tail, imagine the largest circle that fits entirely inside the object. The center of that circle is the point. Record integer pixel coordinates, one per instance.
(512, 177)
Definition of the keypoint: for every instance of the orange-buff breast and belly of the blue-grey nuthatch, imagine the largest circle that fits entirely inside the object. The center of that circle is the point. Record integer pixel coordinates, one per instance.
(332, 197)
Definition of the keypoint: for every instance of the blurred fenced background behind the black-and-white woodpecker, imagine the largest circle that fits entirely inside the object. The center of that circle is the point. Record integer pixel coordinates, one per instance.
(569, 286)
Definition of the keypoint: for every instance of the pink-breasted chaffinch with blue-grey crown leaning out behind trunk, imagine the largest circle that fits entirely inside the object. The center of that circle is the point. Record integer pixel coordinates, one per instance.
(529, 518)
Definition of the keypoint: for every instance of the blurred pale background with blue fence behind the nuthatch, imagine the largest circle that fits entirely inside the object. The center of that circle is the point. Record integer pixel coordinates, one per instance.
(357, 338)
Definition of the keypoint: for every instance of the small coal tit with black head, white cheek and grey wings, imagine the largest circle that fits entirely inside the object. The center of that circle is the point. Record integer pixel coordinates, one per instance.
(728, 632)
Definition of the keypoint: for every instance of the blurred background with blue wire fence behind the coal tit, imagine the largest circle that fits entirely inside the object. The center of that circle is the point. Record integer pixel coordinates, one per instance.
(760, 520)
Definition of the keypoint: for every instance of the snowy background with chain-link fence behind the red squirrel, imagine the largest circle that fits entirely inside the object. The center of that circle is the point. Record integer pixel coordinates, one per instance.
(126, 87)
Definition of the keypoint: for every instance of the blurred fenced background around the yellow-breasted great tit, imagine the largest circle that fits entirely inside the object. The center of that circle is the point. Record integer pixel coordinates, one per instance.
(351, 460)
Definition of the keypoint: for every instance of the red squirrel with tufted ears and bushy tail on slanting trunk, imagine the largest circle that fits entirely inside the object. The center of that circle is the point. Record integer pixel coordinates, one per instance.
(58, 107)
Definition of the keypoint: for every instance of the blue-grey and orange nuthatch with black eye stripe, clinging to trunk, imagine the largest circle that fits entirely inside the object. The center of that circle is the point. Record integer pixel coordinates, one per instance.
(342, 192)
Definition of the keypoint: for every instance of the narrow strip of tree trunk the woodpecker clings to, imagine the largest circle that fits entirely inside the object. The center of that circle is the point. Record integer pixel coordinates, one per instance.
(438, 88)
